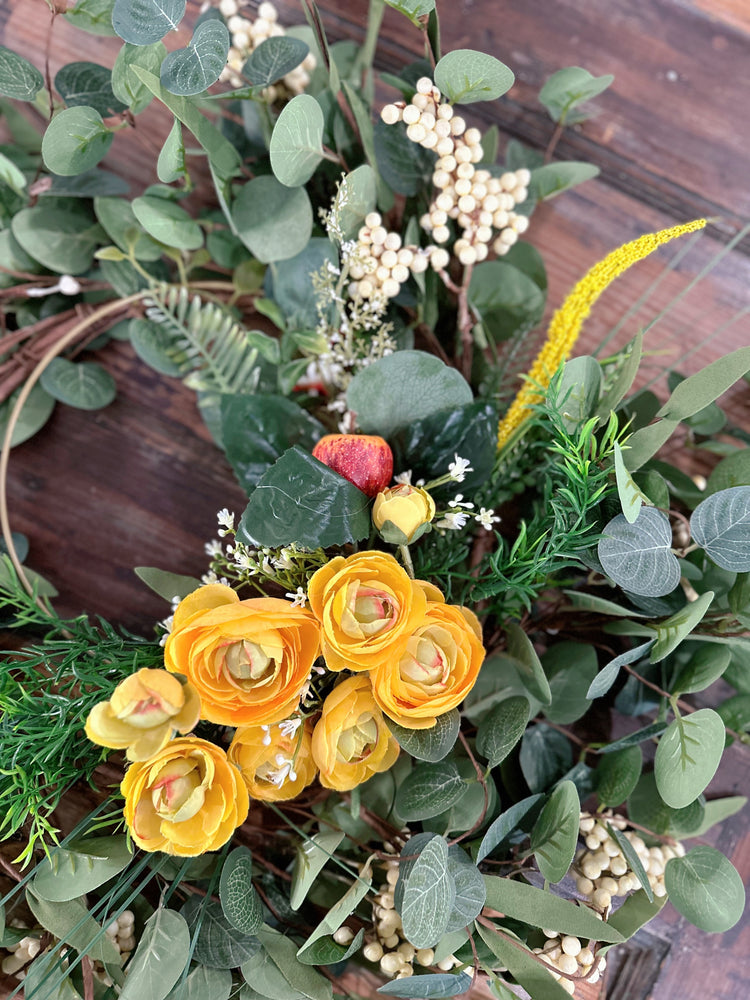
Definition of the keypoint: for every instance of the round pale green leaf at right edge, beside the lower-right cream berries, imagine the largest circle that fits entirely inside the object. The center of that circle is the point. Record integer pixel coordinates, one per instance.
(706, 889)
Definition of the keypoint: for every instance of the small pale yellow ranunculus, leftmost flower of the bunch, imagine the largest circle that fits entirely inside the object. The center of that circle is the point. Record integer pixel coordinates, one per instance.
(143, 713)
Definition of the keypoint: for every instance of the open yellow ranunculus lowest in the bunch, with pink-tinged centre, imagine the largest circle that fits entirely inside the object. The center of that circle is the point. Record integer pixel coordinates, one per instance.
(185, 800)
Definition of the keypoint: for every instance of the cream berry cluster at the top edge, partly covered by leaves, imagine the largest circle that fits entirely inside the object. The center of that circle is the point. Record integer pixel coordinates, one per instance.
(246, 35)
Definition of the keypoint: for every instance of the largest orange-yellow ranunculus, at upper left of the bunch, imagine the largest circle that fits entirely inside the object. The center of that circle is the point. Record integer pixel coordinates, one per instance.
(248, 660)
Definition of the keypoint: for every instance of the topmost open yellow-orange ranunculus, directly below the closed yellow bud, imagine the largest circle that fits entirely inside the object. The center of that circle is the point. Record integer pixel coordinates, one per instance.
(365, 604)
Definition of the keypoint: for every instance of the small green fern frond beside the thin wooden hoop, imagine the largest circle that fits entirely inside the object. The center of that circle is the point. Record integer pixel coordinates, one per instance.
(215, 353)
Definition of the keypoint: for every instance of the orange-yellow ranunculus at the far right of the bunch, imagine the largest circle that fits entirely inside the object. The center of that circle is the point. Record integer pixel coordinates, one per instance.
(433, 669)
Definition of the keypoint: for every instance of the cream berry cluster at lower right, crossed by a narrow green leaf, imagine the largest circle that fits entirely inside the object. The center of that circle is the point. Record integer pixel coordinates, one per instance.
(602, 869)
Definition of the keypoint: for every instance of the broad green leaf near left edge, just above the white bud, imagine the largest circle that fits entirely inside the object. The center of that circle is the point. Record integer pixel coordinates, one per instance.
(62, 239)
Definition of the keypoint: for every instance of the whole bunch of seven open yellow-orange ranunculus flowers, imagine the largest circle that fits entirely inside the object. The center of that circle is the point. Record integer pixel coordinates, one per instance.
(250, 664)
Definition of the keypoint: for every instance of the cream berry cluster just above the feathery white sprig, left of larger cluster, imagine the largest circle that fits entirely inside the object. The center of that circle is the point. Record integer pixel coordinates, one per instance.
(379, 264)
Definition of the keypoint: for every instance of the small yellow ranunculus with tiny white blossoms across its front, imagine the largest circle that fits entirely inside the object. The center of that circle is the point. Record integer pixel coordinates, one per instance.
(278, 769)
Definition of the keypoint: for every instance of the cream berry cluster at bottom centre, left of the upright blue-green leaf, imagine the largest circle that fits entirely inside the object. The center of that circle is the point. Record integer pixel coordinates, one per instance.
(395, 955)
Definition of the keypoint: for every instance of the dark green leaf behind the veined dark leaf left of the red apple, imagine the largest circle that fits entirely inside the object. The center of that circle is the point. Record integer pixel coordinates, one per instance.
(257, 430)
